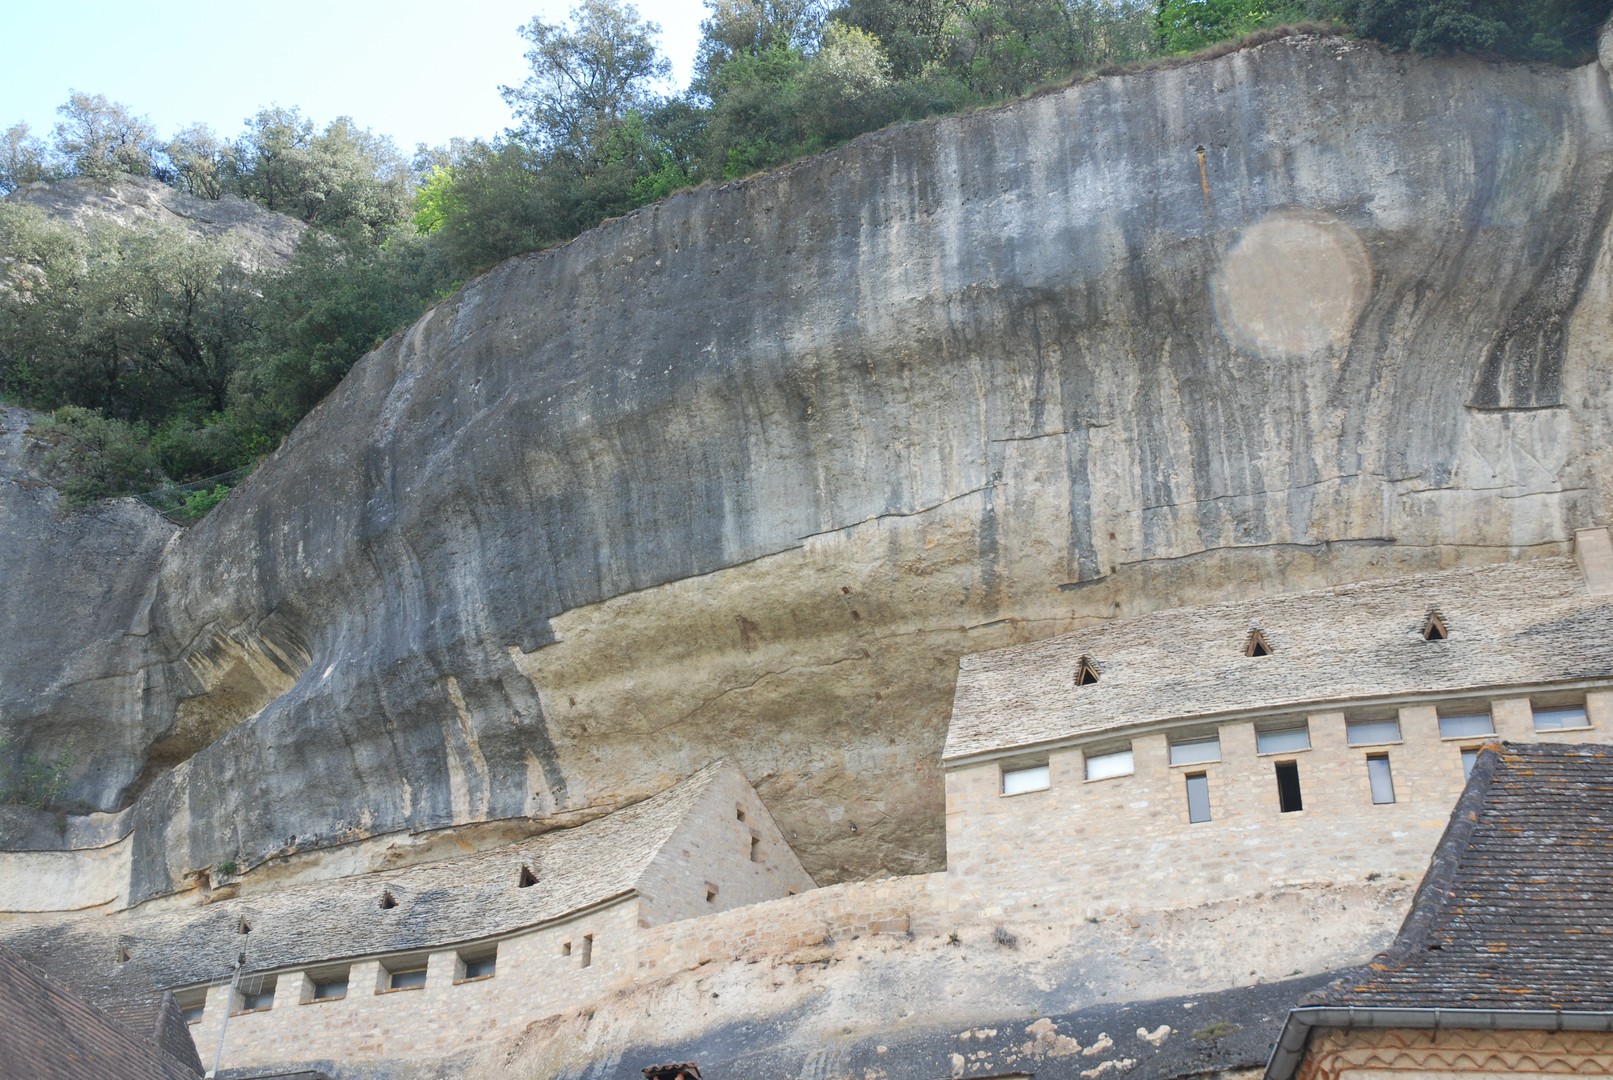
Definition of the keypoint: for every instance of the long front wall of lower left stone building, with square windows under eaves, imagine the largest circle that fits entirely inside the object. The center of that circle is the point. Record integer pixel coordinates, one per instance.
(538, 974)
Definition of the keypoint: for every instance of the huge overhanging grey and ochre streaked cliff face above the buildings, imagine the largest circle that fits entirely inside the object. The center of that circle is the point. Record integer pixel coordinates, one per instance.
(744, 473)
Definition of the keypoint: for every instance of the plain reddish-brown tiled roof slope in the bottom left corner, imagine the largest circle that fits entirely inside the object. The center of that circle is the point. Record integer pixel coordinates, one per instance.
(52, 1034)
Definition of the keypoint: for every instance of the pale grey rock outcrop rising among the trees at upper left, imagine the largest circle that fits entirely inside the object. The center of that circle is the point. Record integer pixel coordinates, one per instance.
(264, 238)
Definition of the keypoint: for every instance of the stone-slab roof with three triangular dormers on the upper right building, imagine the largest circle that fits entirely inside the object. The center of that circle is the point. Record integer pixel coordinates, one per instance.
(1511, 625)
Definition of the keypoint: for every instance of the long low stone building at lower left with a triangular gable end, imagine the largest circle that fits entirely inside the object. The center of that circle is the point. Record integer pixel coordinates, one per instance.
(438, 958)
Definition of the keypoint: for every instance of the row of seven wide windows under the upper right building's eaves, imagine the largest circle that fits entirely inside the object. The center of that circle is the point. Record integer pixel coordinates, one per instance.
(1293, 736)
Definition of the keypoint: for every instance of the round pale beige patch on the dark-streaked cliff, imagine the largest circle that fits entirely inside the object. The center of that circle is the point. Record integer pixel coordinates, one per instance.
(1293, 285)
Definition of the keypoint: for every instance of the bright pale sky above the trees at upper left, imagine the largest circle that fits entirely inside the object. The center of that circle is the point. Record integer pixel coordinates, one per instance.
(420, 72)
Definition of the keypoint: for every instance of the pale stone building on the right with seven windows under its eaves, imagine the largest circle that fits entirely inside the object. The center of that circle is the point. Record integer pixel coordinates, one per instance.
(1211, 754)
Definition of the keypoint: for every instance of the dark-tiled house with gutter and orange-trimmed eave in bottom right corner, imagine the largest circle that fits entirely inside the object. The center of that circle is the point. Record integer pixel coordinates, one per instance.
(1506, 962)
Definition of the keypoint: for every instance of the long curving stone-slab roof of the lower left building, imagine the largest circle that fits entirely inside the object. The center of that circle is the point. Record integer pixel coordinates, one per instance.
(435, 905)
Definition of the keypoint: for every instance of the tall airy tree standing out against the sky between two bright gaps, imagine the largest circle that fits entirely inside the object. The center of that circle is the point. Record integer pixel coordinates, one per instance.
(586, 75)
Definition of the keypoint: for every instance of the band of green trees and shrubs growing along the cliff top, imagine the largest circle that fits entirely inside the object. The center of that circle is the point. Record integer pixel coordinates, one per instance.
(169, 362)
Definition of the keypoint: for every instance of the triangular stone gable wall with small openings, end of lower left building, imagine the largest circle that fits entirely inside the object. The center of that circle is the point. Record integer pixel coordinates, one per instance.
(727, 854)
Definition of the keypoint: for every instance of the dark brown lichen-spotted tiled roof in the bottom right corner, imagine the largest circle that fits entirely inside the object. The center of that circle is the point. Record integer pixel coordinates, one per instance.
(1517, 908)
